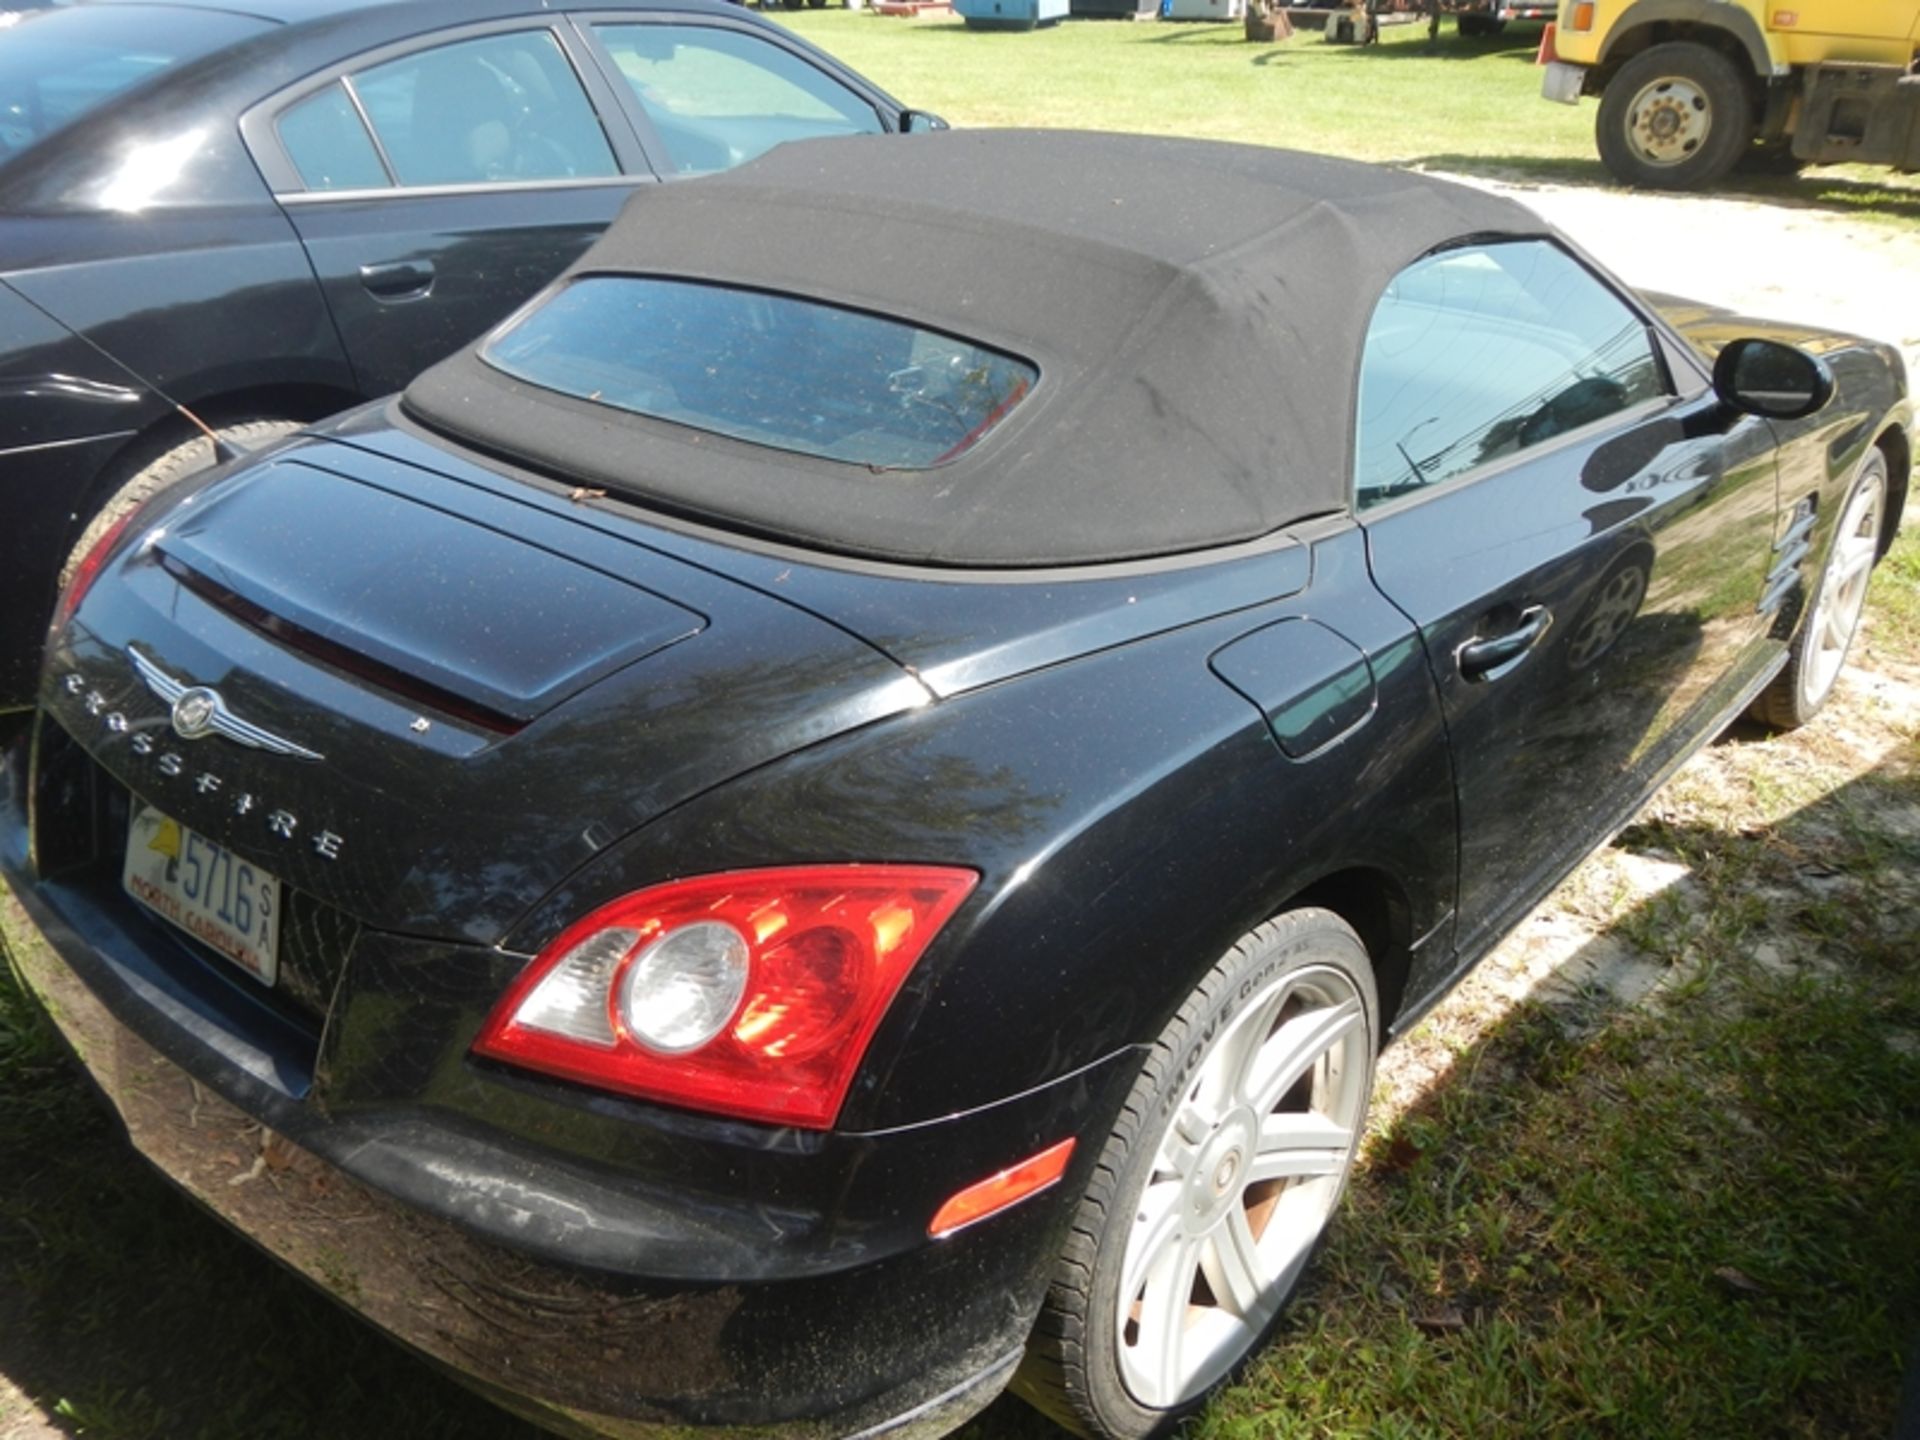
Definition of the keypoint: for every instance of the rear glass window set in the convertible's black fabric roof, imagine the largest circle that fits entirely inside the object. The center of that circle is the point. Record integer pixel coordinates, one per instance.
(771, 370)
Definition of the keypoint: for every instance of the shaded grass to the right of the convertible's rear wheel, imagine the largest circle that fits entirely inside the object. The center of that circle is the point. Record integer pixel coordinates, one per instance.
(1671, 1191)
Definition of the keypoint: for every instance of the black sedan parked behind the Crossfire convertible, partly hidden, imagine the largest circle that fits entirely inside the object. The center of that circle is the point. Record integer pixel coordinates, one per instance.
(251, 214)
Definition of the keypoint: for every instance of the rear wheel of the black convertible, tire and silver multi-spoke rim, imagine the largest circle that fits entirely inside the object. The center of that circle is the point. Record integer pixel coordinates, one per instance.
(1201, 1195)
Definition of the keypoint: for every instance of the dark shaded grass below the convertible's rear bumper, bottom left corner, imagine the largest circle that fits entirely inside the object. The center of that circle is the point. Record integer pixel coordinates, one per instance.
(128, 1312)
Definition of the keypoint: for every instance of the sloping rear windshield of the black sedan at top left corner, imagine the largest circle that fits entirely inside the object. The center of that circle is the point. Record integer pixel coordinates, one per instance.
(60, 64)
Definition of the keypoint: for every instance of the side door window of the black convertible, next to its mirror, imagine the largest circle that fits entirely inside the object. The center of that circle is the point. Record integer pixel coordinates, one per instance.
(1483, 352)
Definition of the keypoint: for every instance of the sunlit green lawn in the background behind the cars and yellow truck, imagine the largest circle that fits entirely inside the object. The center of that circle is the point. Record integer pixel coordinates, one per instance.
(1470, 107)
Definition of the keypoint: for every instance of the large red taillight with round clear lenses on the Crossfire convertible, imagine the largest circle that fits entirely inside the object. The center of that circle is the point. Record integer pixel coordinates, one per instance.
(750, 994)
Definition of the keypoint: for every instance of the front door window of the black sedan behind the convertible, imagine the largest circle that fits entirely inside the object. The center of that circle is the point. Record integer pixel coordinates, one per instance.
(719, 97)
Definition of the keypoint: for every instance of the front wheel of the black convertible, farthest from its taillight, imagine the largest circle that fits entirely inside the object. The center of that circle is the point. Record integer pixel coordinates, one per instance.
(1833, 619)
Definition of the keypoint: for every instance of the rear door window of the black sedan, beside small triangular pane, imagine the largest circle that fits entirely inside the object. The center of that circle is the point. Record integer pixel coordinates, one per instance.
(485, 112)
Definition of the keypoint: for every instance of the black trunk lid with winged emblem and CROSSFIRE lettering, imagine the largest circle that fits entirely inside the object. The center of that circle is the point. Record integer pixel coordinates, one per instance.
(456, 698)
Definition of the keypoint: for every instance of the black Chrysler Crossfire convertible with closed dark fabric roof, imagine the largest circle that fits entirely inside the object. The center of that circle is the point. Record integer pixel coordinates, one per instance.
(805, 834)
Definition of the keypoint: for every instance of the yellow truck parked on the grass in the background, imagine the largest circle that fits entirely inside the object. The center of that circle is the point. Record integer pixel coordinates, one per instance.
(1689, 89)
